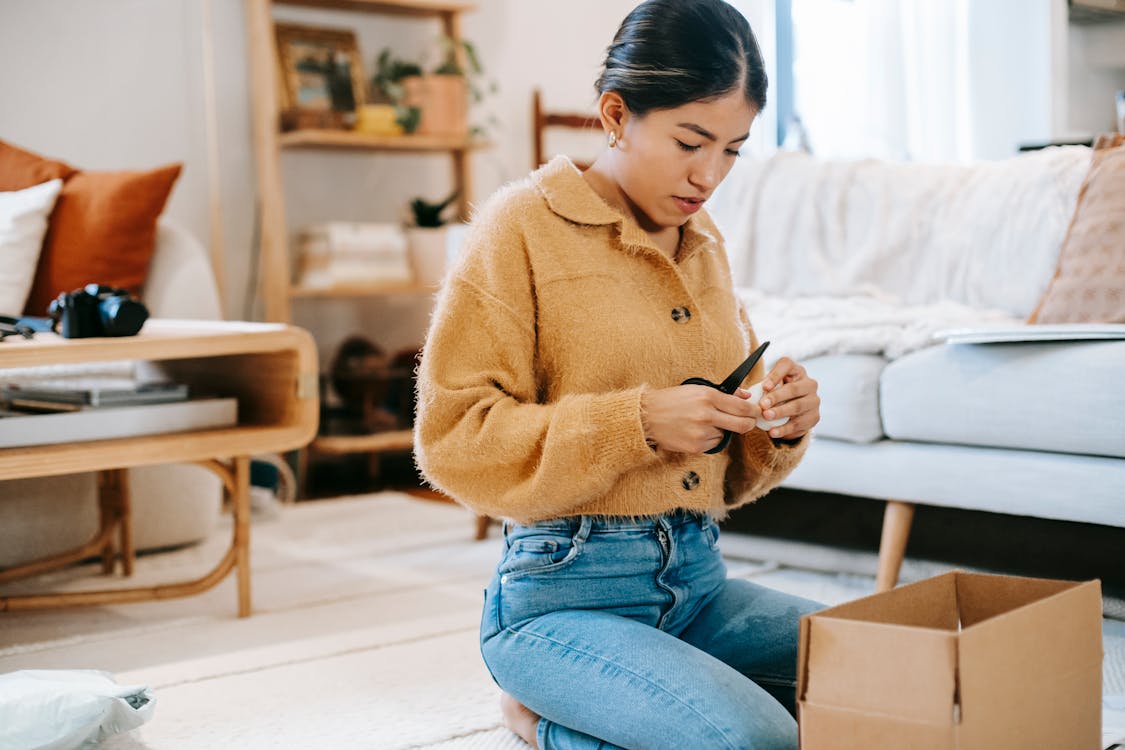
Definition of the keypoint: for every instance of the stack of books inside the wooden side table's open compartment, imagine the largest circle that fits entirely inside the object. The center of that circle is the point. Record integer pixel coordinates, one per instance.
(70, 410)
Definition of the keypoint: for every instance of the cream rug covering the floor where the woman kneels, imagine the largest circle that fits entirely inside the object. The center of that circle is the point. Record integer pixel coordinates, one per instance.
(364, 634)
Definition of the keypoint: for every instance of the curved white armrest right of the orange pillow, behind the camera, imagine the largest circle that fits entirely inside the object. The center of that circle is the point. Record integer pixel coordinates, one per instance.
(182, 284)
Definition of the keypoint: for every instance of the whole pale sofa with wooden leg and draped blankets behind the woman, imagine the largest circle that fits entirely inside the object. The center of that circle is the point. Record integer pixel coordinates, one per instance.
(853, 267)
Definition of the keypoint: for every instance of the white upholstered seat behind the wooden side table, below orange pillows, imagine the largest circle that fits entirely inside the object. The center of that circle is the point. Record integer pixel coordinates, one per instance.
(174, 504)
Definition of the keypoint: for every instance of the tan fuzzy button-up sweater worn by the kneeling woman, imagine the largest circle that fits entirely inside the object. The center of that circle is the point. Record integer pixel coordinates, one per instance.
(559, 315)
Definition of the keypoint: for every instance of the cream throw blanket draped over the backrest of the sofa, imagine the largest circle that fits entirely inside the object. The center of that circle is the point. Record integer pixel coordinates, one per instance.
(986, 236)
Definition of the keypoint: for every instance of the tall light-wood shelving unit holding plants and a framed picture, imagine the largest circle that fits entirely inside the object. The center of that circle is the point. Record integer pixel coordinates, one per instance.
(276, 286)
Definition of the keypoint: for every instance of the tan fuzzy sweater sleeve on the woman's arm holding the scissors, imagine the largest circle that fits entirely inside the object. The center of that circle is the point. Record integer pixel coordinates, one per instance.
(483, 433)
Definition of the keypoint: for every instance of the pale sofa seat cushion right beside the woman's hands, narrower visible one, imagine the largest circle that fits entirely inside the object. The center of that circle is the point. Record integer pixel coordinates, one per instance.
(849, 388)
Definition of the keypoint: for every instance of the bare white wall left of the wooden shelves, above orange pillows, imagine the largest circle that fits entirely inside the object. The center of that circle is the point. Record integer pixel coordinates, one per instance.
(119, 85)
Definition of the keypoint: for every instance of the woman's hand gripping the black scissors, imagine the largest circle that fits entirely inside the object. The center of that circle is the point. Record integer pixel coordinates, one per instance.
(692, 419)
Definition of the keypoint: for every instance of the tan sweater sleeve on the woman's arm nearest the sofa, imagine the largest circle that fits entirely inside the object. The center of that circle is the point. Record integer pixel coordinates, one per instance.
(759, 463)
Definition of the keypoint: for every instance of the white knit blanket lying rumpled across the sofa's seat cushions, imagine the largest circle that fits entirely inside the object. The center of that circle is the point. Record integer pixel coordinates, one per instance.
(803, 328)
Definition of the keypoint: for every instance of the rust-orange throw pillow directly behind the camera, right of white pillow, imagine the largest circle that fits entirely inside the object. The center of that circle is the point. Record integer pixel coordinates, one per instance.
(103, 230)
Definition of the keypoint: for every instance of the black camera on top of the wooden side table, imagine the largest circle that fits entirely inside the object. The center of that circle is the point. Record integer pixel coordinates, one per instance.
(97, 311)
